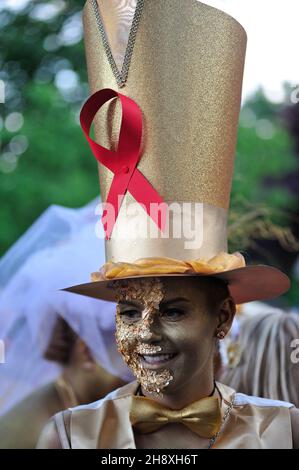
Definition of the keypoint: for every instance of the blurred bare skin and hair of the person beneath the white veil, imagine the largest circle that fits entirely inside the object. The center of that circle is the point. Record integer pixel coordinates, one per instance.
(82, 380)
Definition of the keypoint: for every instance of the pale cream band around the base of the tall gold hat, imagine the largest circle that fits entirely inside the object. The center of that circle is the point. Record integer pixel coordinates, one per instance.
(193, 230)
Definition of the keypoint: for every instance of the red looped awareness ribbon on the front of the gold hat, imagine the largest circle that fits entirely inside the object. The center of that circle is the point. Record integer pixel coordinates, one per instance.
(123, 162)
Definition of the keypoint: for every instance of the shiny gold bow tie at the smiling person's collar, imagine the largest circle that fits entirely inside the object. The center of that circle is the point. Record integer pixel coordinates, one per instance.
(203, 417)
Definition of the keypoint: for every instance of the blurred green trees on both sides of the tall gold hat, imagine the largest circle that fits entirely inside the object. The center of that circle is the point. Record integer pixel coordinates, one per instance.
(44, 157)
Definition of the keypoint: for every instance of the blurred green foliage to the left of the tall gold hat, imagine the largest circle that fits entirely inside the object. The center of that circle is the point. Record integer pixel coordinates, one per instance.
(57, 167)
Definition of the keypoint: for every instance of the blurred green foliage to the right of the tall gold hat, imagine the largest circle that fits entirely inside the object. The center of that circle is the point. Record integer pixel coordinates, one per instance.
(264, 149)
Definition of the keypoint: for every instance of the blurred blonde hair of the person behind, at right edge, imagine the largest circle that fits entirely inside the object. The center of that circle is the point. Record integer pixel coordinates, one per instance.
(265, 357)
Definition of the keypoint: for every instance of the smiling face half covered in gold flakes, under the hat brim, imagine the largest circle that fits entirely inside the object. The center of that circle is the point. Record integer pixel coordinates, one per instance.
(166, 329)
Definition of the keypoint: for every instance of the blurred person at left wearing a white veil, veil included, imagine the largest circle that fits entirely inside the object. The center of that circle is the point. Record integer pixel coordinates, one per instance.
(59, 349)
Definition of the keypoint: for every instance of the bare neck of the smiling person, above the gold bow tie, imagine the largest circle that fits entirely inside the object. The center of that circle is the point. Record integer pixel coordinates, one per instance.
(199, 387)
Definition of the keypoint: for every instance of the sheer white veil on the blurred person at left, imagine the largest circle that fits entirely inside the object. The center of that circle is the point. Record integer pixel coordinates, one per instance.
(60, 249)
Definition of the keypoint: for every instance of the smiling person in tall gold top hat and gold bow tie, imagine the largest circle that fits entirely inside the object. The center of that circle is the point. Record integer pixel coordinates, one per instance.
(165, 137)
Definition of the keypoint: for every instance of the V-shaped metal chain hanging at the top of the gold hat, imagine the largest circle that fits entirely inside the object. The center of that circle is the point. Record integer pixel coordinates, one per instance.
(121, 77)
